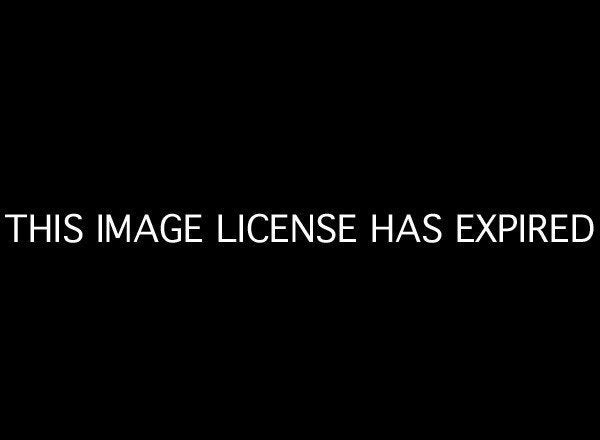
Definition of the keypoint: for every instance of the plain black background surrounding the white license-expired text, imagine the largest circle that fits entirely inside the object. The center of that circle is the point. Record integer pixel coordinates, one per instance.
(368, 113)
